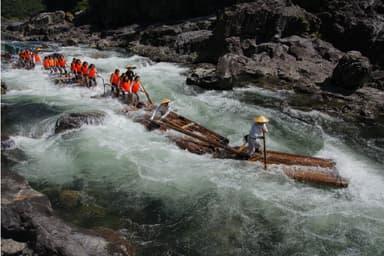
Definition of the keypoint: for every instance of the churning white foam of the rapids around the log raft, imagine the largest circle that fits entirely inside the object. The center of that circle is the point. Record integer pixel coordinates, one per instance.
(128, 156)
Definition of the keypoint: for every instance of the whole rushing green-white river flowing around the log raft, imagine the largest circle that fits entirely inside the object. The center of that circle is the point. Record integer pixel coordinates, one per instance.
(171, 202)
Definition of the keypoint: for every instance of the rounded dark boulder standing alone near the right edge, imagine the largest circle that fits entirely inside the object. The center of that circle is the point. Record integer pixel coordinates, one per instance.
(352, 71)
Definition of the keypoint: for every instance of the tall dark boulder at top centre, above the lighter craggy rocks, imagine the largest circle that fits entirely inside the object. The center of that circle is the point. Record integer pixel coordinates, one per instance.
(263, 20)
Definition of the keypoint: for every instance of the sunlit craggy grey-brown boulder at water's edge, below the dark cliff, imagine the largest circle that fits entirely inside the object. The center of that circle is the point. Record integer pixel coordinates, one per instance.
(294, 60)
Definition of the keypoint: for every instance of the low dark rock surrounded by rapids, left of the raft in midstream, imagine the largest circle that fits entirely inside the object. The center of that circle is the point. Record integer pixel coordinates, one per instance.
(76, 120)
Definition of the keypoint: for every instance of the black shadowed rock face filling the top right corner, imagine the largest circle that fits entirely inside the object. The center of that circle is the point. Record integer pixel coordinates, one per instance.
(351, 25)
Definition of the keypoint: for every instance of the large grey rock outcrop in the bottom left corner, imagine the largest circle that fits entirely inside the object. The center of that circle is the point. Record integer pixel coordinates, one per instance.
(27, 218)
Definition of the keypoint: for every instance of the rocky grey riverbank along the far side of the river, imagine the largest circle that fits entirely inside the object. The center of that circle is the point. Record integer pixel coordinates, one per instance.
(272, 44)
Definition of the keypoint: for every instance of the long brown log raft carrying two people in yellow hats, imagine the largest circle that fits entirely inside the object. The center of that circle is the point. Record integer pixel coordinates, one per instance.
(200, 140)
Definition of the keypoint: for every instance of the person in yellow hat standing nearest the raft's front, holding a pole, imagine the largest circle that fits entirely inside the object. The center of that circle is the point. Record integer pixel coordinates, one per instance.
(257, 131)
